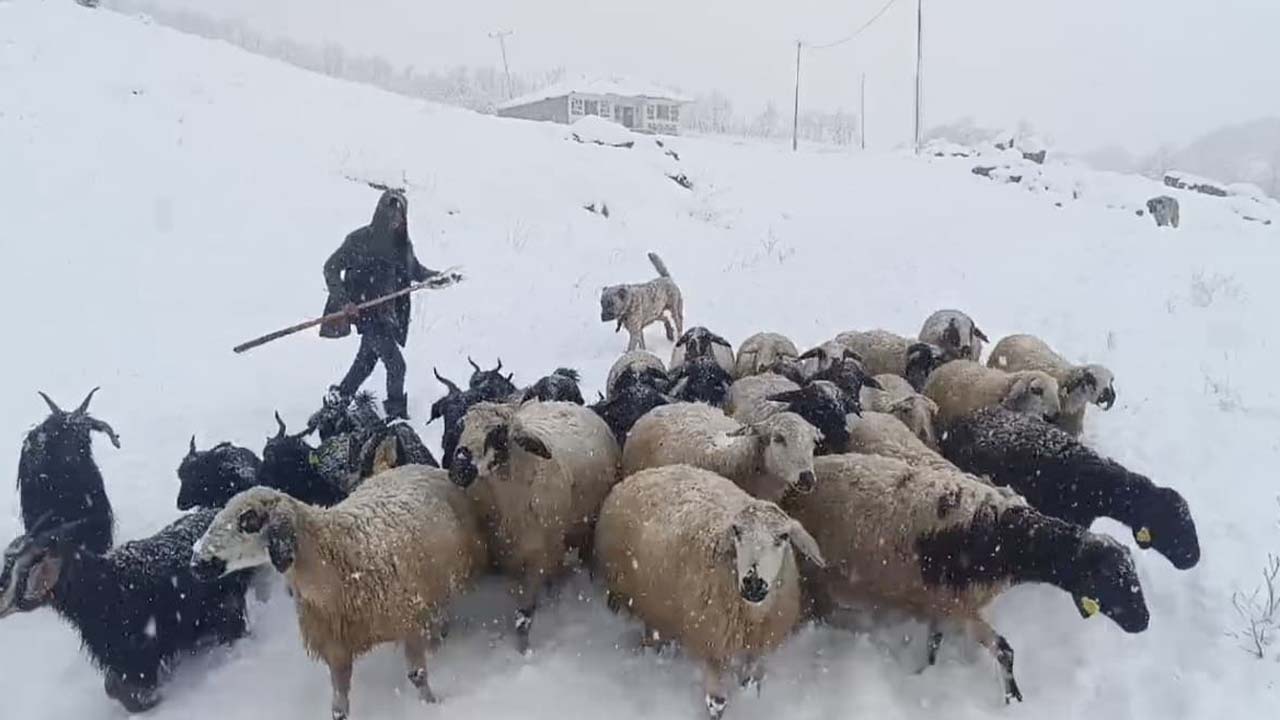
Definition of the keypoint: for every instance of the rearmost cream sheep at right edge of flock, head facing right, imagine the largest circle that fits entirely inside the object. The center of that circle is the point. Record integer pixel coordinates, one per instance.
(1078, 385)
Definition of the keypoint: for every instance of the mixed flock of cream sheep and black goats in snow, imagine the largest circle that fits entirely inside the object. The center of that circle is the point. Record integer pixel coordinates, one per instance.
(720, 499)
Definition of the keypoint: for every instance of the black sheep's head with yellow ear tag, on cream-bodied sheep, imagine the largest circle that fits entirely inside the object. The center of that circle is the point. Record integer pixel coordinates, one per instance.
(1107, 582)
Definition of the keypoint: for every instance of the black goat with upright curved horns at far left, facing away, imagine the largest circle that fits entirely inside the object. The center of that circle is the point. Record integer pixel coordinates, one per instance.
(60, 480)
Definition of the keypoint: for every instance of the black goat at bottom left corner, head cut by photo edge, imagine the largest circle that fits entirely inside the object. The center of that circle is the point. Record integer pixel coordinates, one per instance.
(136, 608)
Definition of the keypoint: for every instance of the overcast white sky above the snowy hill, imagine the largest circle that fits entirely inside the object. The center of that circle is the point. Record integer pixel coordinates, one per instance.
(1085, 72)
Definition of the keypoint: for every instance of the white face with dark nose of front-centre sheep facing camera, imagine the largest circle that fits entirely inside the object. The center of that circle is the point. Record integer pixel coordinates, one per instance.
(764, 539)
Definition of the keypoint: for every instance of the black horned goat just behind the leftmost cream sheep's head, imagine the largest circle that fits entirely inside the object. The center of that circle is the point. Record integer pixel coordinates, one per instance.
(295, 468)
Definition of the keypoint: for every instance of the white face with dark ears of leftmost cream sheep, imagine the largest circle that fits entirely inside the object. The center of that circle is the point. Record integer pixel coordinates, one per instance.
(244, 535)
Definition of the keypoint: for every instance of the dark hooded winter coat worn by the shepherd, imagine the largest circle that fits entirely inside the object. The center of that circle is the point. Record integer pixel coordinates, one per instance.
(376, 261)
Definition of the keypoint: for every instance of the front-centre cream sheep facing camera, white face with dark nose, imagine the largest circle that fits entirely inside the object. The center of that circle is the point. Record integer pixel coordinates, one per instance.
(717, 572)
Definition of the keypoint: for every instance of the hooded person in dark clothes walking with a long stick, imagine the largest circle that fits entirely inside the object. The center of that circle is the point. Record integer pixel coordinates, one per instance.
(376, 261)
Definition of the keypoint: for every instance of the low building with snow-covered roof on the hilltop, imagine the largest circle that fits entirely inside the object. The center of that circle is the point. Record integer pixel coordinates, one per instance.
(639, 108)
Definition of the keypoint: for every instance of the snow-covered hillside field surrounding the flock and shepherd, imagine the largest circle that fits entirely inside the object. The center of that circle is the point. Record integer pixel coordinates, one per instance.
(166, 198)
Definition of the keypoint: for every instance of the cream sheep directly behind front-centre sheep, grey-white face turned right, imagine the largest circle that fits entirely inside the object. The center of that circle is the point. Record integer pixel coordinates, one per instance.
(765, 459)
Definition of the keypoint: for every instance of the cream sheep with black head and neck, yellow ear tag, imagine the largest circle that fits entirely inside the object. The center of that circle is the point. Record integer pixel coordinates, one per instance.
(941, 546)
